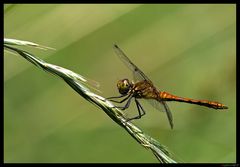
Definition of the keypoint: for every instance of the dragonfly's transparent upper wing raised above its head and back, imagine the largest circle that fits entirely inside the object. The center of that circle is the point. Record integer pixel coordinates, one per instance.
(137, 73)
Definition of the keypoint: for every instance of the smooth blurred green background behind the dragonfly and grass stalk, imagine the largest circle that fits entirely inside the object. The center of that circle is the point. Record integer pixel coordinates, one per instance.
(187, 50)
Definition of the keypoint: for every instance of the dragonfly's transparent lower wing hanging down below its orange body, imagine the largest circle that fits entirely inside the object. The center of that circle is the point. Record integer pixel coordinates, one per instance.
(162, 106)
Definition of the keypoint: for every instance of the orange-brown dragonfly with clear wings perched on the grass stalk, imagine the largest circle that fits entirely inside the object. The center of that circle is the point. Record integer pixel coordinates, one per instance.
(143, 88)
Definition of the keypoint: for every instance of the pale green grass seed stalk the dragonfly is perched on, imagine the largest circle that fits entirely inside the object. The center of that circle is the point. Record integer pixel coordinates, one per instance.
(72, 79)
